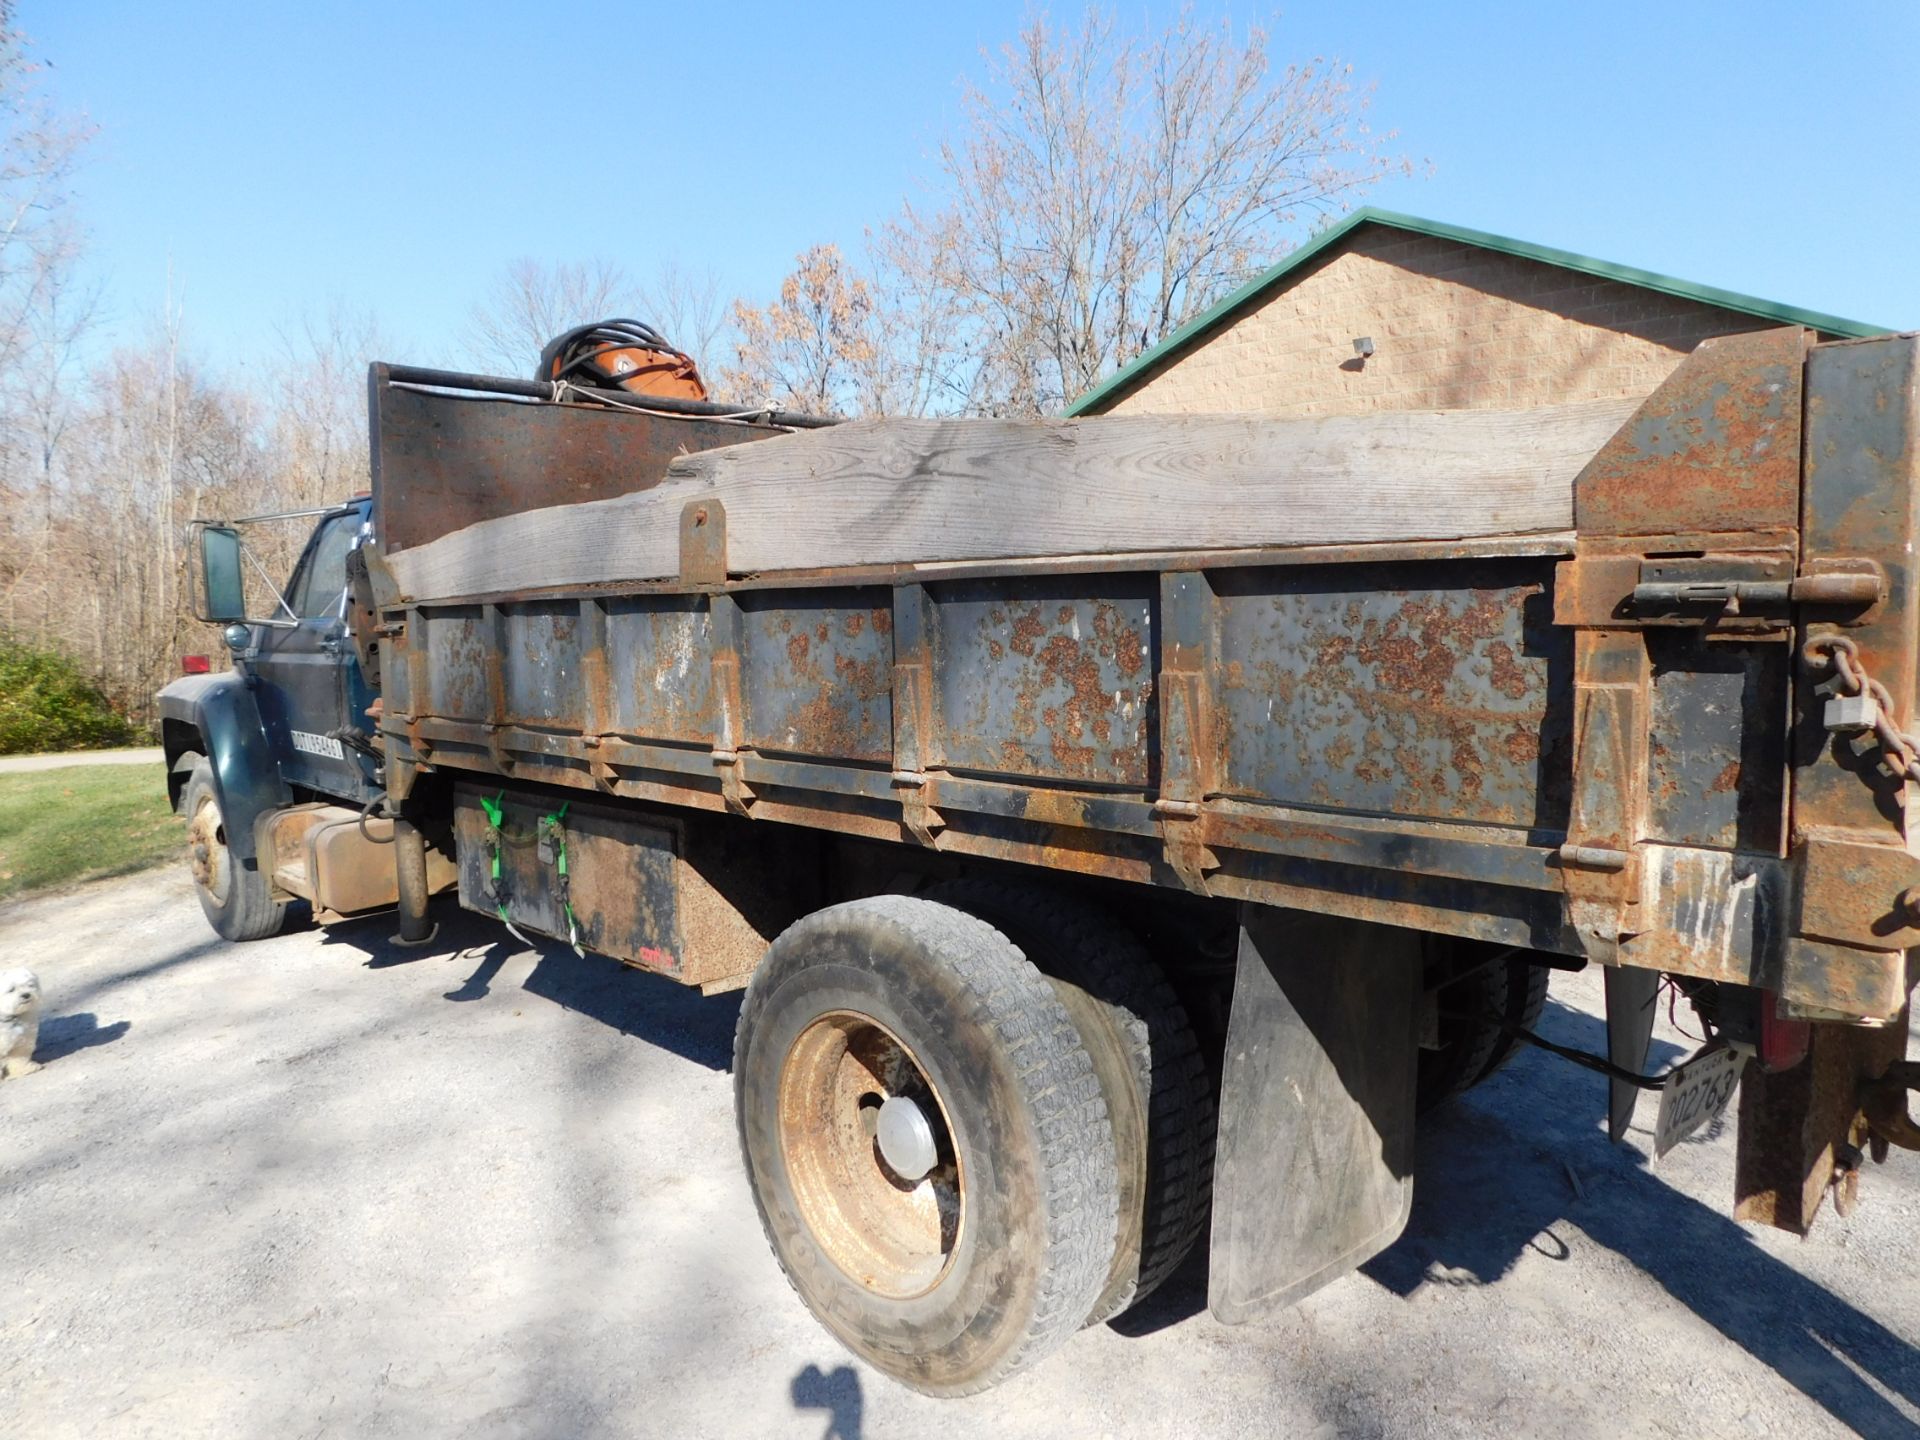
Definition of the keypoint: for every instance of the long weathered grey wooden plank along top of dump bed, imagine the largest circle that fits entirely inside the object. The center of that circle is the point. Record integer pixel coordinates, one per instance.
(938, 492)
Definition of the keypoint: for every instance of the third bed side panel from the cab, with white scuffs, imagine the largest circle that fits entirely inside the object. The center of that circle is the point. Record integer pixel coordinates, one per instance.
(660, 667)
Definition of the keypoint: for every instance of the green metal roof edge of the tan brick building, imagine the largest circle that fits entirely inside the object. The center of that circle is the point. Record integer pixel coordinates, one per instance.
(1222, 314)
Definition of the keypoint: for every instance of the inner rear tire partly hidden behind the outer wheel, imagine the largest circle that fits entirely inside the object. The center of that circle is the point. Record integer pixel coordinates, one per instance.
(1149, 1063)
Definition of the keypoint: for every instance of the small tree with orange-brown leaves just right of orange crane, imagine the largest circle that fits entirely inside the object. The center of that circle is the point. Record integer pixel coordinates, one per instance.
(813, 348)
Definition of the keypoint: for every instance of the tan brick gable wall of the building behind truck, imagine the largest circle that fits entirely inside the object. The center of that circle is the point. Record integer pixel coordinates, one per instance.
(1456, 327)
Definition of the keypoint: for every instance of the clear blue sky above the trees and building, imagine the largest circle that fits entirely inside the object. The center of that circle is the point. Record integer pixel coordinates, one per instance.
(283, 158)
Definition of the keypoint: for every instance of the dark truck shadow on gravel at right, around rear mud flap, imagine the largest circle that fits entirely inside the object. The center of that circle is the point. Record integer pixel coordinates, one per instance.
(1493, 1184)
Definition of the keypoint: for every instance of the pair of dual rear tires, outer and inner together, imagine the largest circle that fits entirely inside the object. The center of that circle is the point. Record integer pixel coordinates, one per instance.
(961, 1161)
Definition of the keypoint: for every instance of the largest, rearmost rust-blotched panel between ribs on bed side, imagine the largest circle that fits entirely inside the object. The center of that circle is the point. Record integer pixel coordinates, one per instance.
(1426, 690)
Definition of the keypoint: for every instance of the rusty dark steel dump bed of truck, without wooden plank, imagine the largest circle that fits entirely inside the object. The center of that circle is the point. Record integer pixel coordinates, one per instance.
(1610, 744)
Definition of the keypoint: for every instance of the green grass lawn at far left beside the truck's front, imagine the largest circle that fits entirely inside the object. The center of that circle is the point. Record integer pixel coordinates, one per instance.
(84, 823)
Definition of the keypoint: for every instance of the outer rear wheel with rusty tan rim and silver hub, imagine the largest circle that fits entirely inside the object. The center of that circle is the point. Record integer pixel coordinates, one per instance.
(926, 1141)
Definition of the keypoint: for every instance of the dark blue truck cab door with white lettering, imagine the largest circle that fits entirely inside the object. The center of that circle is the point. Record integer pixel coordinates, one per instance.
(312, 694)
